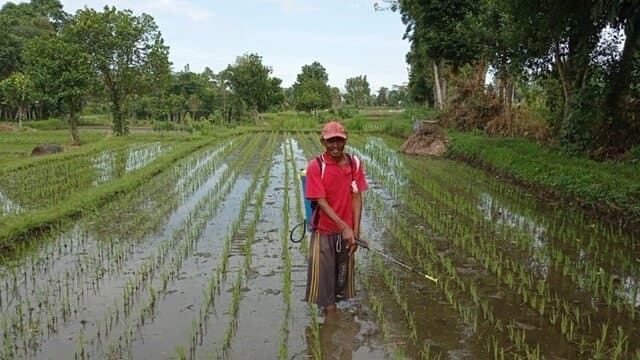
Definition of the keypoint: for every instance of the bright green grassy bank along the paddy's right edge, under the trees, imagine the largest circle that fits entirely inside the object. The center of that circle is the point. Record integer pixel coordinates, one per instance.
(600, 185)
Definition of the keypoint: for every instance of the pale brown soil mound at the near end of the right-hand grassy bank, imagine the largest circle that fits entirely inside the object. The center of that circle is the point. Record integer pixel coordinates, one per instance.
(428, 139)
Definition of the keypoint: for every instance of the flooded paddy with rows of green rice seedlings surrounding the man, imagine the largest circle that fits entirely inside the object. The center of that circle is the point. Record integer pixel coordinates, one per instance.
(198, 263)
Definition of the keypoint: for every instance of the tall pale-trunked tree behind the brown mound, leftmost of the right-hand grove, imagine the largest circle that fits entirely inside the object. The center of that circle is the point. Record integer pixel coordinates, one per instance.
(445, 35)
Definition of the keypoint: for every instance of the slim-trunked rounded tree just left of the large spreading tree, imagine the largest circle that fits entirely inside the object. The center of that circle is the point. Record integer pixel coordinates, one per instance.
(62, 74)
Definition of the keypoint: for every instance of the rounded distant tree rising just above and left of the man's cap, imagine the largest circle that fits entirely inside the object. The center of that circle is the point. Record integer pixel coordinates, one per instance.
(311, 89)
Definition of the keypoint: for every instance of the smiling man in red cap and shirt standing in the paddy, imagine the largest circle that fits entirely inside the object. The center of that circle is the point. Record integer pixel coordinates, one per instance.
(335, 181)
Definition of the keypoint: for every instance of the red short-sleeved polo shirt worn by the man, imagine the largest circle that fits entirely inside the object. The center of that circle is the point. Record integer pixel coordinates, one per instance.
(335, 187)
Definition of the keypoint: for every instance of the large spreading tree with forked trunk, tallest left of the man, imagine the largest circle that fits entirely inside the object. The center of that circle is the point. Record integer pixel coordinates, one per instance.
(127, 52)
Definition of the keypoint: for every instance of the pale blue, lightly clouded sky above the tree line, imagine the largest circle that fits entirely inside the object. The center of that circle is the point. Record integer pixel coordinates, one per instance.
(347, 37)
